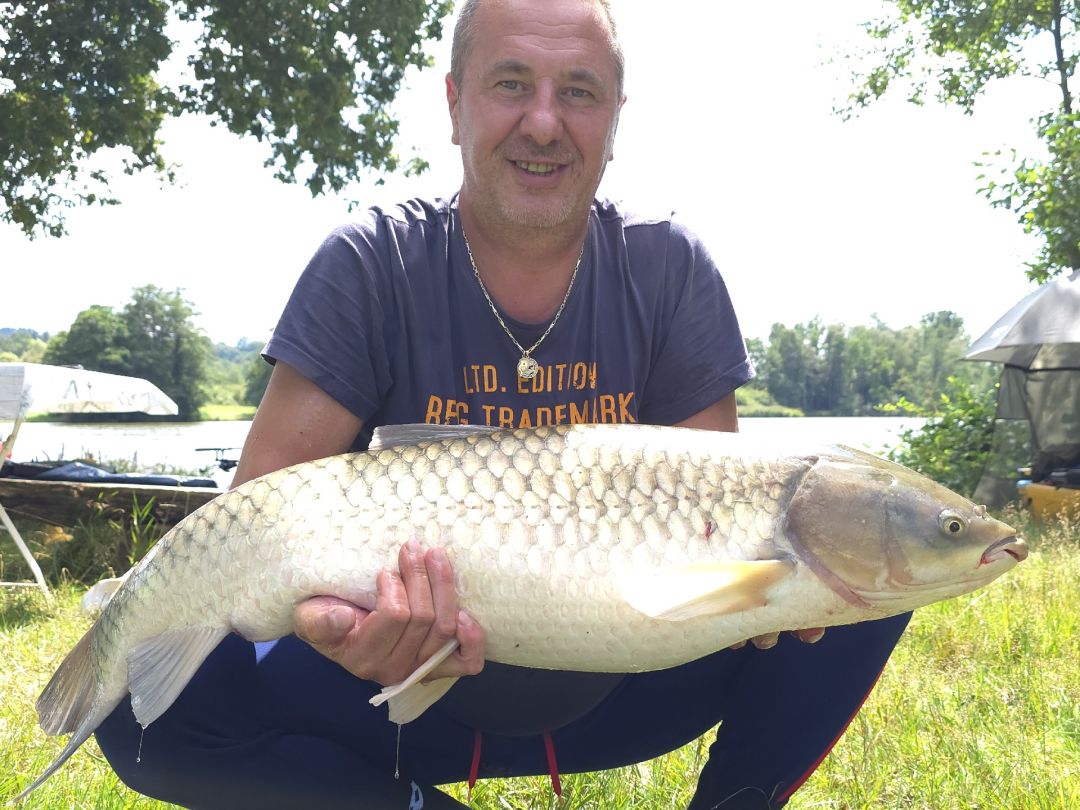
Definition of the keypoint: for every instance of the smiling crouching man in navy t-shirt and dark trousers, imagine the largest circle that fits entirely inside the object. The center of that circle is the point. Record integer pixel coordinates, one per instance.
(522, 301)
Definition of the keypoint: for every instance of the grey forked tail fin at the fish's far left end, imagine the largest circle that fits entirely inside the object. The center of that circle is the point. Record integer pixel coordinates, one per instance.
(71, 704)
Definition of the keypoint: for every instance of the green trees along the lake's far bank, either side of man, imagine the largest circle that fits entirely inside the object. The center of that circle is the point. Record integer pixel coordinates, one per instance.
(807, 369)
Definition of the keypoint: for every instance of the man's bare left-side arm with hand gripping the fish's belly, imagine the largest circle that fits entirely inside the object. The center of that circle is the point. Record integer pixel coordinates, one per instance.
(416, 609)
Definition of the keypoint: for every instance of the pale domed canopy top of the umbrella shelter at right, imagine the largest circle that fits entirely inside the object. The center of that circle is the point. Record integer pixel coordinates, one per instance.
(1043, 332)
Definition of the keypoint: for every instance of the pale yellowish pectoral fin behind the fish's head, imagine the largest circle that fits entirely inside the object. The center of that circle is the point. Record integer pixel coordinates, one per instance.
(704, 589)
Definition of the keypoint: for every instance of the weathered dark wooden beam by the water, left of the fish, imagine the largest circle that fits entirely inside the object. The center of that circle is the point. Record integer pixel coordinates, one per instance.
(64, 503)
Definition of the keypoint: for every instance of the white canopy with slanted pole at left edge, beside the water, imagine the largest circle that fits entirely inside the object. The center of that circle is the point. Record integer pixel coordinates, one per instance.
(32, 387)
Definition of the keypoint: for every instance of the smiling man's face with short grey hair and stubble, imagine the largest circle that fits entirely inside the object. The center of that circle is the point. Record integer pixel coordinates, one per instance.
(536, 113)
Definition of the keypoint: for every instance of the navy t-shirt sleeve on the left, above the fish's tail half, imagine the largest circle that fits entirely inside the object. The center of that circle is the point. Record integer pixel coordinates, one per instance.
(333, 328)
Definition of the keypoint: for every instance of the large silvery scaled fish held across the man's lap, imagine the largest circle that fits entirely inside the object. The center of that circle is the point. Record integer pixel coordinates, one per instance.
(588, 548)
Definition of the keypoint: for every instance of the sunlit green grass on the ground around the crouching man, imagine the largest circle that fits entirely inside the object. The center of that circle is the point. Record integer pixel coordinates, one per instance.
(980, 708)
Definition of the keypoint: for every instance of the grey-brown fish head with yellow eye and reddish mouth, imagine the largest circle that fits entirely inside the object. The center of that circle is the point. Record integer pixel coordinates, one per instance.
(886, 537)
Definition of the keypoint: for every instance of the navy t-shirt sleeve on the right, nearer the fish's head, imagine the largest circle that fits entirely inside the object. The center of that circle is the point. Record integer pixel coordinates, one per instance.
(701, 357)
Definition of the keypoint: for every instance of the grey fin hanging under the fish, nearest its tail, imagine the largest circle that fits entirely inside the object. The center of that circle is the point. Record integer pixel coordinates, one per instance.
(158, 670)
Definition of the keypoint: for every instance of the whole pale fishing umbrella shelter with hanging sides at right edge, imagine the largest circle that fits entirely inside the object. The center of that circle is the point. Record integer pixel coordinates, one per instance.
(1038, 342)
